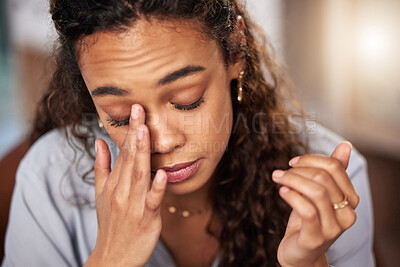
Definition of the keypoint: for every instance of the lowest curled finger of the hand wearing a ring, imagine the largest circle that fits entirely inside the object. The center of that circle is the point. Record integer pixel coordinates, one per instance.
(311, 227)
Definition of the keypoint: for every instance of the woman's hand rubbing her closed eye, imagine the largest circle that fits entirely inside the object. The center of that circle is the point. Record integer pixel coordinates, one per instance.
(127, 204)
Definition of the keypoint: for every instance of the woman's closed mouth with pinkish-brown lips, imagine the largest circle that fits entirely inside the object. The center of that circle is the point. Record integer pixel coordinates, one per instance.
(179, 172)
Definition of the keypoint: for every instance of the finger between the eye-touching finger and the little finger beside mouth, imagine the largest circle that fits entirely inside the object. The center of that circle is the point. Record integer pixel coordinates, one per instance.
(141, 174)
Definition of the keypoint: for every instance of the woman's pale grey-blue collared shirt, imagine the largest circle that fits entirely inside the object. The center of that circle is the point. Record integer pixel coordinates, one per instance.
(46, 230)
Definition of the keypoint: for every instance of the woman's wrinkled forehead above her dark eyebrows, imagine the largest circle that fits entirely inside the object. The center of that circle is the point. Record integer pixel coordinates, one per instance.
(155, 47)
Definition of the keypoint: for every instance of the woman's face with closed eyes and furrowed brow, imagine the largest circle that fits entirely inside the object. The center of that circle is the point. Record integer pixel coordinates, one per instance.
(180, 79)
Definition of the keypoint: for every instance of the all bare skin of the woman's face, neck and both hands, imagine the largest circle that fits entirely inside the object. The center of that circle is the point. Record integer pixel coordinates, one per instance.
(129, 205)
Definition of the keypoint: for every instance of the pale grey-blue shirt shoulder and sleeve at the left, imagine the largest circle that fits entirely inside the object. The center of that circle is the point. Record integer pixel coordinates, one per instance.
(52, 205)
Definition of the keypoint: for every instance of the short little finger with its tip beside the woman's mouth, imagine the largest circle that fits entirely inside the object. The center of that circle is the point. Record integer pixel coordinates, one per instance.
(155, 195)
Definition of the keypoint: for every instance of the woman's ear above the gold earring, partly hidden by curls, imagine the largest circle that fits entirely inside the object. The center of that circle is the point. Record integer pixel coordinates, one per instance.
(238, 39)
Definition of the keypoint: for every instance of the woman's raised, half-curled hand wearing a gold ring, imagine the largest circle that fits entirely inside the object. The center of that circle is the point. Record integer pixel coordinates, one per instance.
(311, 187)
